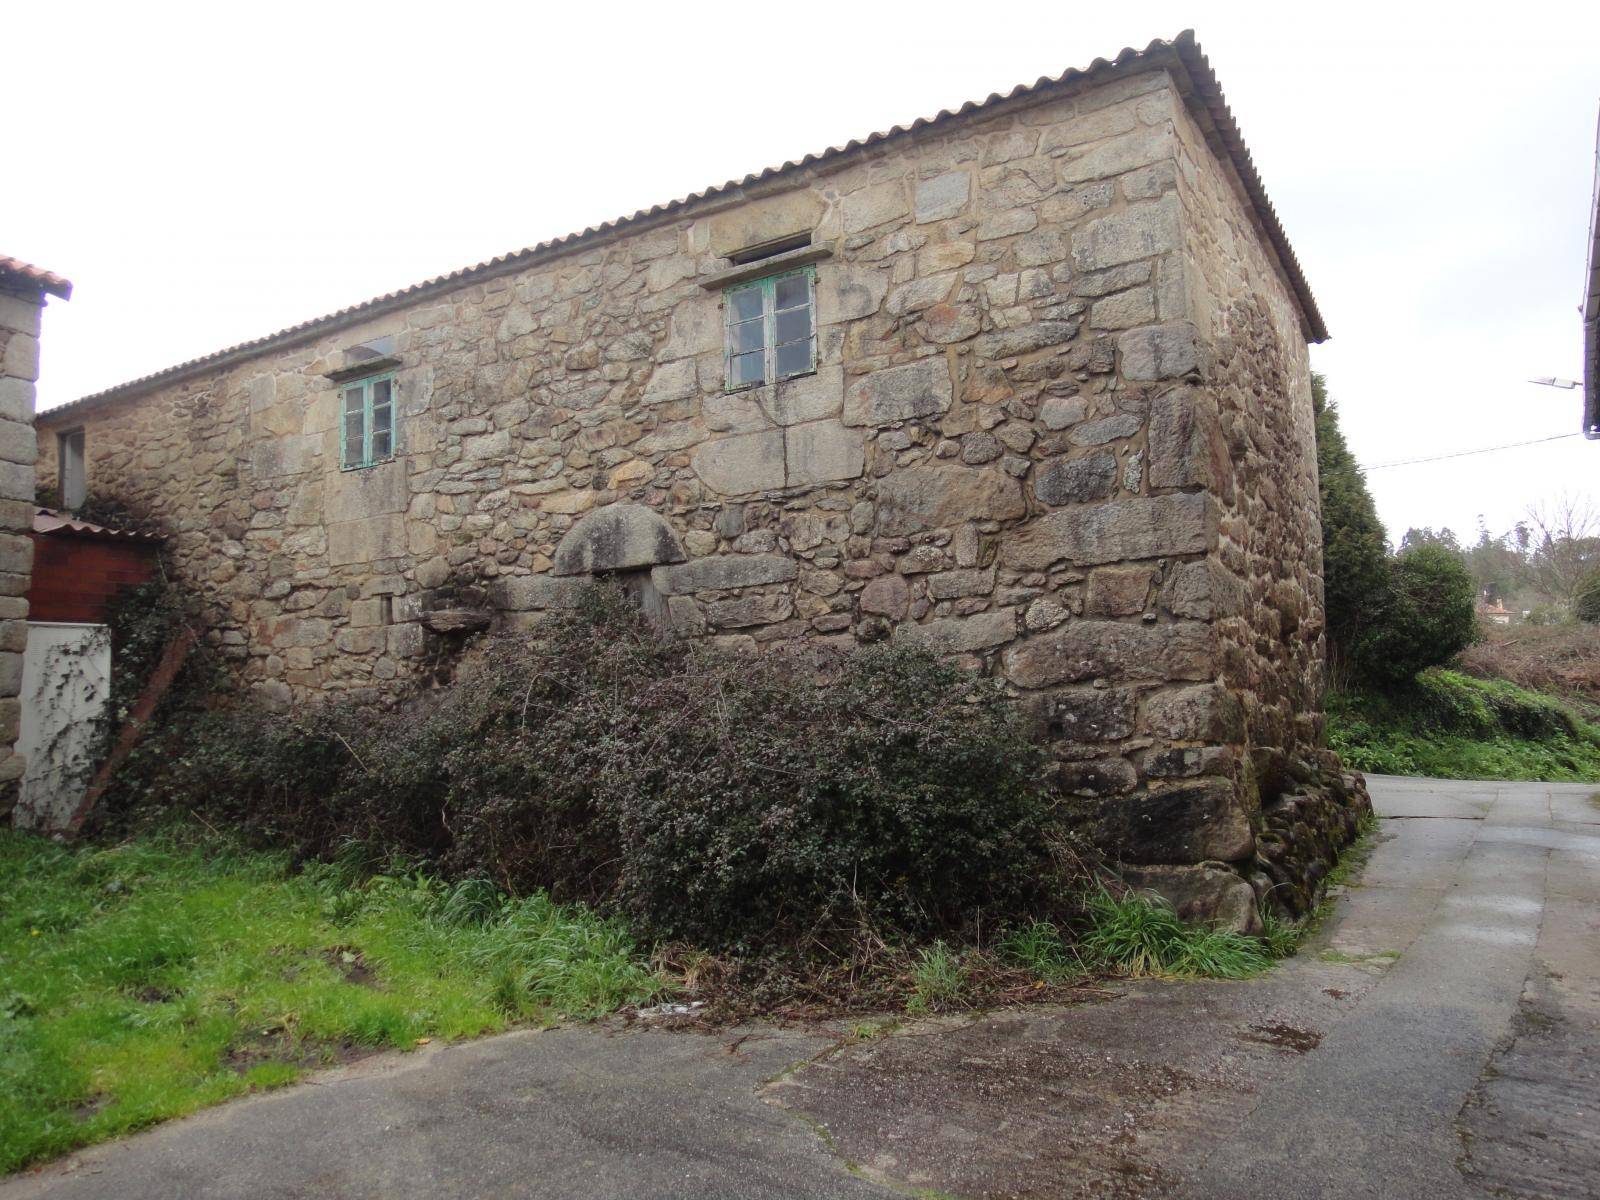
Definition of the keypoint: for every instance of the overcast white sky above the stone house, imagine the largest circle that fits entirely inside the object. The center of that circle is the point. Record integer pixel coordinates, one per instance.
(212, 174)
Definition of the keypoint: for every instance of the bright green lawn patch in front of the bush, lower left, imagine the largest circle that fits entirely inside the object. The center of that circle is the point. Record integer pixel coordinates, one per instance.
(150, 980)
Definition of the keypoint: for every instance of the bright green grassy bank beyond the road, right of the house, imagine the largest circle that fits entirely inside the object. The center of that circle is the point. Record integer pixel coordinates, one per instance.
(1458, 727)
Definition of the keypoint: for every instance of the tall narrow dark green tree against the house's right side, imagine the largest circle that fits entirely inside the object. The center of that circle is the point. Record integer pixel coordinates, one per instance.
(1354, 550)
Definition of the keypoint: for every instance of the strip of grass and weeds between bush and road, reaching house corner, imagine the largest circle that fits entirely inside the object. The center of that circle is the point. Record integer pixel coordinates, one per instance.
(146, 980)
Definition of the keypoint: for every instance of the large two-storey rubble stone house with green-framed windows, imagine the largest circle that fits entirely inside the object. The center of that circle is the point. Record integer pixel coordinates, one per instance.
(1026, 383)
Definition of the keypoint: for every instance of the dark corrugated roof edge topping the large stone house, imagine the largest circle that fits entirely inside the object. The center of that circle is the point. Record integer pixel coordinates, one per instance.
(1202, 90)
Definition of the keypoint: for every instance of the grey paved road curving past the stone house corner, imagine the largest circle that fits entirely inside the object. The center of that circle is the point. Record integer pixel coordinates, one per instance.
(1439, 1038)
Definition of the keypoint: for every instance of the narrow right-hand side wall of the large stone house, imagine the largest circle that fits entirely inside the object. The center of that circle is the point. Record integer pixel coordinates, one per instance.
(1254, 438)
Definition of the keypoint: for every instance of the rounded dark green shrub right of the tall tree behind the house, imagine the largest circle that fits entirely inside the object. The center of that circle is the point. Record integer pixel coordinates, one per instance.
(1425, 618)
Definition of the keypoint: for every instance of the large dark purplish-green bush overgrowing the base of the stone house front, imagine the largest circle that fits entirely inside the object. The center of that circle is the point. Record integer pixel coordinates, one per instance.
(732, 802)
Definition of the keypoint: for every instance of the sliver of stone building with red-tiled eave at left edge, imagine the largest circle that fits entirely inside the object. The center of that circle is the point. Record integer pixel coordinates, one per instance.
(25, 292)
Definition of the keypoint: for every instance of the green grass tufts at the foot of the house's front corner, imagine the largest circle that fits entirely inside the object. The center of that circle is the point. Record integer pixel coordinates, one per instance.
(1140, 935)
